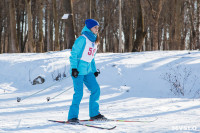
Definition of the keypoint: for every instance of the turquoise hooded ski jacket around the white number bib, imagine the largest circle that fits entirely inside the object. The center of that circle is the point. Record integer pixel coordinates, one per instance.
(83, 67)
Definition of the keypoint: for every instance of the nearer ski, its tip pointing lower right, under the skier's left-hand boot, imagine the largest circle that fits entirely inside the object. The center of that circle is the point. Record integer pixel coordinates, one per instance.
(82, 124)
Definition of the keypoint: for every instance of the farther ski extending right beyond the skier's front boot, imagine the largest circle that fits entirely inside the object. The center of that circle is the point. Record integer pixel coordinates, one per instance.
(121, 120)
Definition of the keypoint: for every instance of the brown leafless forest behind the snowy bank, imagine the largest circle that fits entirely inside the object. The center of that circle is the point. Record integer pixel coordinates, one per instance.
(37, 26)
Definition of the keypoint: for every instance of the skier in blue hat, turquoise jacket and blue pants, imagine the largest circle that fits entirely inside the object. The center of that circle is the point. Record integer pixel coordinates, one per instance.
(83, 70)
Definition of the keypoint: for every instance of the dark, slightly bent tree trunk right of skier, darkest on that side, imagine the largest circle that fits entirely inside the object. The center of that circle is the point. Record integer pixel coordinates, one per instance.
(140, 33)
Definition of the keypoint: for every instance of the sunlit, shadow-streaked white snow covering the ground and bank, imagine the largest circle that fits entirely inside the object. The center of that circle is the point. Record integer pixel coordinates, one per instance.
(134, 86)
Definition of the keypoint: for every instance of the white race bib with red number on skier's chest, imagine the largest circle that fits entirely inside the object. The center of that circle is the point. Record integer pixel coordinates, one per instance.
(89, 50)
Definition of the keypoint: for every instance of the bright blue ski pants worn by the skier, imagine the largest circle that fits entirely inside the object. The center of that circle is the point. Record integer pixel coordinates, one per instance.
(90, 81)
